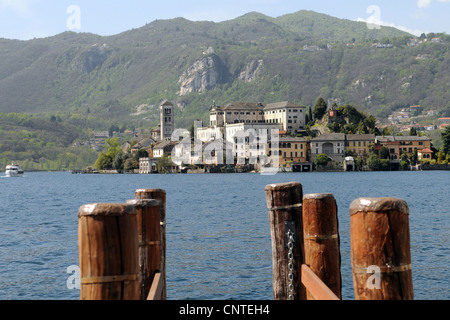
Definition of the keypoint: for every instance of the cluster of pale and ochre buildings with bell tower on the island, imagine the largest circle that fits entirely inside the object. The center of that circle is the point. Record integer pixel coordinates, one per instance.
(254, 137)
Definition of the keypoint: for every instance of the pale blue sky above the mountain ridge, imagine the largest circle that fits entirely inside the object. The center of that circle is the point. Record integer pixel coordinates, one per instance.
(28, 19)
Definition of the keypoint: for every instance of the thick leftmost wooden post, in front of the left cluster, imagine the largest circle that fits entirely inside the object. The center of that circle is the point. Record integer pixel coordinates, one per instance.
(108, 252)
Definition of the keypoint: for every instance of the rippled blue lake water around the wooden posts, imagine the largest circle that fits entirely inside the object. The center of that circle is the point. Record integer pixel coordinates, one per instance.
(218, 239)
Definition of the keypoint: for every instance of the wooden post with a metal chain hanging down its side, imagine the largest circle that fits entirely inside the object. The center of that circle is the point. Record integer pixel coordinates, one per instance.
(284, 203)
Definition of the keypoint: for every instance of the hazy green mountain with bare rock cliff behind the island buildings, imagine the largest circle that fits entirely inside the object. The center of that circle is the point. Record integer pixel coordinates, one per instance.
(298, 57)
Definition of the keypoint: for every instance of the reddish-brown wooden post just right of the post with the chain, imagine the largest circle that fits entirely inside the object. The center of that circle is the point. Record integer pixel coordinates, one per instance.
(321, 240)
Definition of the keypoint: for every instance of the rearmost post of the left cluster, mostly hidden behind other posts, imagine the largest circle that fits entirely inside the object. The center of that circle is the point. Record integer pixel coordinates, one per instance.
(159, 195)
